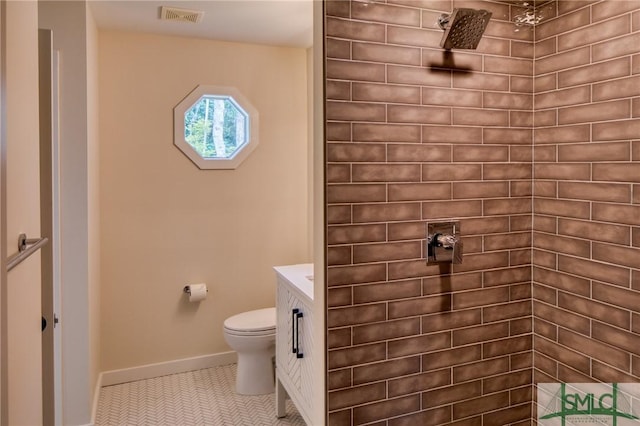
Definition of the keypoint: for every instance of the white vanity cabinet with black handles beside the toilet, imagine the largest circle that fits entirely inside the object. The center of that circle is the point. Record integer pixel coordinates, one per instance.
(294, 338)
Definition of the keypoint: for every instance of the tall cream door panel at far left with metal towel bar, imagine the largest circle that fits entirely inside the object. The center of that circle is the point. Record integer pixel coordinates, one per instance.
(23, 311)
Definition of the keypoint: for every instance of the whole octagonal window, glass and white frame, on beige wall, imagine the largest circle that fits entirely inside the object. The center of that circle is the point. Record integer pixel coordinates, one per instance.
(216, 127)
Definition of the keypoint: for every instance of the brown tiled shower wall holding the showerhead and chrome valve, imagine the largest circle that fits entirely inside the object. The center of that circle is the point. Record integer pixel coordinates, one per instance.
(417, 134)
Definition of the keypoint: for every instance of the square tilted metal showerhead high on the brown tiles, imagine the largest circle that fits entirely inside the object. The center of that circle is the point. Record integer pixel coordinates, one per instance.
(463, 28)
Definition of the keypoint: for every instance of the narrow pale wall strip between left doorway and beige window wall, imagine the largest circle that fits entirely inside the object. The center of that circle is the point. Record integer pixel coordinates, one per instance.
(74, 35)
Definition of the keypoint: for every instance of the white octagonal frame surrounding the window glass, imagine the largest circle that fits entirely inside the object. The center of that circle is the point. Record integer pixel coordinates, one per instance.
(215, 163)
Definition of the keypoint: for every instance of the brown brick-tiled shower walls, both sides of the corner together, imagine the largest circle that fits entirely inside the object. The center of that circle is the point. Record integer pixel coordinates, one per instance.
(533, 146)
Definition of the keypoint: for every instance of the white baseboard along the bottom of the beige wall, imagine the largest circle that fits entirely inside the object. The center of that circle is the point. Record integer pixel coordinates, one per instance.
(114, 377)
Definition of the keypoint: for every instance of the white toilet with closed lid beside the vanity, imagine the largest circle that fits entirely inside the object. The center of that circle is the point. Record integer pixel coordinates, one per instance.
(252, 335)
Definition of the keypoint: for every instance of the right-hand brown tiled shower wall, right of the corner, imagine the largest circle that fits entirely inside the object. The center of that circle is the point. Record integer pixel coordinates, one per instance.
(586, 277)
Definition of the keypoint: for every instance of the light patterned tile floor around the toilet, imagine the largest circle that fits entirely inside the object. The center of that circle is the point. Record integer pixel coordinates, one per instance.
(202, 397)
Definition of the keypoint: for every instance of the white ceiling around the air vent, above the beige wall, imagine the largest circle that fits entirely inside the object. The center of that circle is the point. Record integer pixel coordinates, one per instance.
(271, 22)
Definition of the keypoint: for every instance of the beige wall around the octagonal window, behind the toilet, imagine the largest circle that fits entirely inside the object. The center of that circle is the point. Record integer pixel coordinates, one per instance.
(165, 223)
